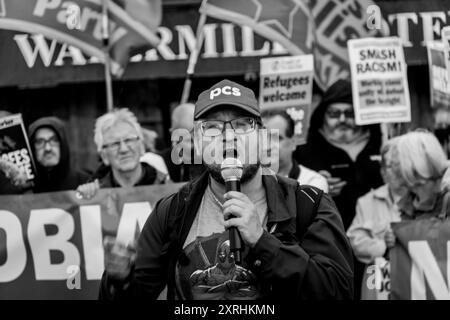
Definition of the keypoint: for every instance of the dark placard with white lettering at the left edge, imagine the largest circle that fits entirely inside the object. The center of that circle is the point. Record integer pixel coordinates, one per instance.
(14, 145)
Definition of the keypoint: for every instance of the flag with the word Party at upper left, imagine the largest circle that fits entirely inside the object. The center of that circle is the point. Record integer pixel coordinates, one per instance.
(132, 24)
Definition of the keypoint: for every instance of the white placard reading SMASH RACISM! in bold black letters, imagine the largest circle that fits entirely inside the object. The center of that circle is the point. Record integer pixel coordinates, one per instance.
(379, 80)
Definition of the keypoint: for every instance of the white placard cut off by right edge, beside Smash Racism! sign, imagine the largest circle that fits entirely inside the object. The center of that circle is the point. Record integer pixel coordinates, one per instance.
(439, 76)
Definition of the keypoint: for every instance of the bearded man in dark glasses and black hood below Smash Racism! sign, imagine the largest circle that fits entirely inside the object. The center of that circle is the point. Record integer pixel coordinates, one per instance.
(348, 155)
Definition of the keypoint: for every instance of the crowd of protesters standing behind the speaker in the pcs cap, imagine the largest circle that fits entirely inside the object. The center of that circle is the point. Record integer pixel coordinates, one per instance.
(373, 183)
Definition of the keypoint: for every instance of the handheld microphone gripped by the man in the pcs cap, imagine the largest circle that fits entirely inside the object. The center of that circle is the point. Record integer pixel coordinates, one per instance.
(231, 170)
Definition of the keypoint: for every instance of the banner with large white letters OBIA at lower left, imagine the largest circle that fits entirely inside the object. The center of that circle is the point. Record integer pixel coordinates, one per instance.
(51, 245)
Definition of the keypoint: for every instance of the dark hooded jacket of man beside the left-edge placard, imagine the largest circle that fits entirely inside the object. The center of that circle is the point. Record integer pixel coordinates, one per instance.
(63, 176)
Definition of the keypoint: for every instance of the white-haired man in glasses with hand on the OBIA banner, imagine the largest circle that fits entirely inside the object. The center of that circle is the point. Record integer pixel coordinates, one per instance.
(119, 140)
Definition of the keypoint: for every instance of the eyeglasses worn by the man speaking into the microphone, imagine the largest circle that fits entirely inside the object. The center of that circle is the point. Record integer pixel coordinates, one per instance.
(213, 128)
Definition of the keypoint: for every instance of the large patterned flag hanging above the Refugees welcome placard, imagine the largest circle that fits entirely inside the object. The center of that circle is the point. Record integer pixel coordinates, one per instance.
(303, 27)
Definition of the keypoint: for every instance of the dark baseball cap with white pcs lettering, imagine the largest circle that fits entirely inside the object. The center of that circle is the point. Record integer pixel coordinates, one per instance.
(228, 93)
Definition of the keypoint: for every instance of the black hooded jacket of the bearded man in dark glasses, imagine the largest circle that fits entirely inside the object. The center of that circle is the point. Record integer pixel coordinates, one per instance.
(318, 154)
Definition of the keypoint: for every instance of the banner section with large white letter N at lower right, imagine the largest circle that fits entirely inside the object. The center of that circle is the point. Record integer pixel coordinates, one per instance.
(420, 260)
